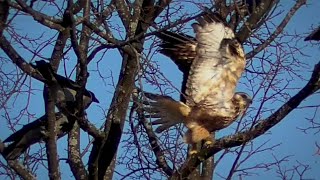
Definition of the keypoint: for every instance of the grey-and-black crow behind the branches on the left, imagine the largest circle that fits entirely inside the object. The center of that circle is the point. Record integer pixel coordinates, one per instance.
(66, 100)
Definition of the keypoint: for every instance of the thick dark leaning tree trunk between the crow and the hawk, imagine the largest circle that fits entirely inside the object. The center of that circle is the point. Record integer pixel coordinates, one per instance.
(120, 101)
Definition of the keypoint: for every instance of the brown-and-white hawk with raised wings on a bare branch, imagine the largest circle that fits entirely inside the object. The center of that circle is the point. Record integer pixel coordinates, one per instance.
(212, 64)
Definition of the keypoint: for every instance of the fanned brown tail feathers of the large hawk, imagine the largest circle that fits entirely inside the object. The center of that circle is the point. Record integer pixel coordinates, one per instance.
(168, 111)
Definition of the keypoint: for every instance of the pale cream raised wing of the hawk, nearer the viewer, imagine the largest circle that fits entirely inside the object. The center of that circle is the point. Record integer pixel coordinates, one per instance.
(218, 65)
